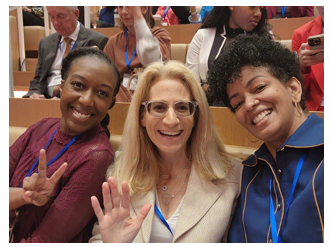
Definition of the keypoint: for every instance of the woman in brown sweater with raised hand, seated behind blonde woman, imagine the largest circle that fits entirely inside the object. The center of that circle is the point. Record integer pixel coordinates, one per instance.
(139, 43)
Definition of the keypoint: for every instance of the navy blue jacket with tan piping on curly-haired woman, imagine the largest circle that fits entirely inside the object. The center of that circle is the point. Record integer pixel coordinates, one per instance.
(305, 219)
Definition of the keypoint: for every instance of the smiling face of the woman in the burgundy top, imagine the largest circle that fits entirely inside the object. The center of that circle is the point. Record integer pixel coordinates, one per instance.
(86, 95)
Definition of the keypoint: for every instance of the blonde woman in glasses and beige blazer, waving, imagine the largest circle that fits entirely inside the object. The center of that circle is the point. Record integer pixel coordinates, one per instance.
(173, 162)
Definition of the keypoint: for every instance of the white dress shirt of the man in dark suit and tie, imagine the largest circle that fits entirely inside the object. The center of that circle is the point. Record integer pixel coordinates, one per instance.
(54, 77)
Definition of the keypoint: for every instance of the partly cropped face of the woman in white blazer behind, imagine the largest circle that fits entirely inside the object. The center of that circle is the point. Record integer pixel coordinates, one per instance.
(245, 17)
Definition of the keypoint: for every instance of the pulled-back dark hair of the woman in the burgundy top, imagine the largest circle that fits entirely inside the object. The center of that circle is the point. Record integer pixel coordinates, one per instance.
(92, 52)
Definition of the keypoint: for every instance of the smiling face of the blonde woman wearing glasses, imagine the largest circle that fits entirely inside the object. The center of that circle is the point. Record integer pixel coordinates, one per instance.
(169, 133)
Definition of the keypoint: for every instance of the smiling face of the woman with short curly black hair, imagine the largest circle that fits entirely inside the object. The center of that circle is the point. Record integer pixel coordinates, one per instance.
(263, 105)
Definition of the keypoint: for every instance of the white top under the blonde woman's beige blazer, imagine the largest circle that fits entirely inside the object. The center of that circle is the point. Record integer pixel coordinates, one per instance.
(160, 233)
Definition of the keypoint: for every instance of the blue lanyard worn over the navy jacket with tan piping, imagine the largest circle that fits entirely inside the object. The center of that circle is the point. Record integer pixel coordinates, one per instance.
(275, 237)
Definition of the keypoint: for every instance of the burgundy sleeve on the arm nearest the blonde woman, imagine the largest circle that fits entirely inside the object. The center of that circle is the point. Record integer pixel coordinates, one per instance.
(71, 211)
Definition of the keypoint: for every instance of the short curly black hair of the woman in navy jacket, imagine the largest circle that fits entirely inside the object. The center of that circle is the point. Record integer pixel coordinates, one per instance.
(256, 51)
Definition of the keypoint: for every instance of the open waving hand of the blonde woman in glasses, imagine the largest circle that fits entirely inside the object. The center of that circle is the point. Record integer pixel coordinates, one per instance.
(116, 224)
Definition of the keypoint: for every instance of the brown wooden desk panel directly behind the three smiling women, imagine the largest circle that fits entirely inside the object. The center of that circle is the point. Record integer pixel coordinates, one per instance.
(25, 112)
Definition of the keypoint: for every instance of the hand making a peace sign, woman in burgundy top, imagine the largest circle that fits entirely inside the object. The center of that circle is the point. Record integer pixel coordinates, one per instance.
(37, 189)
